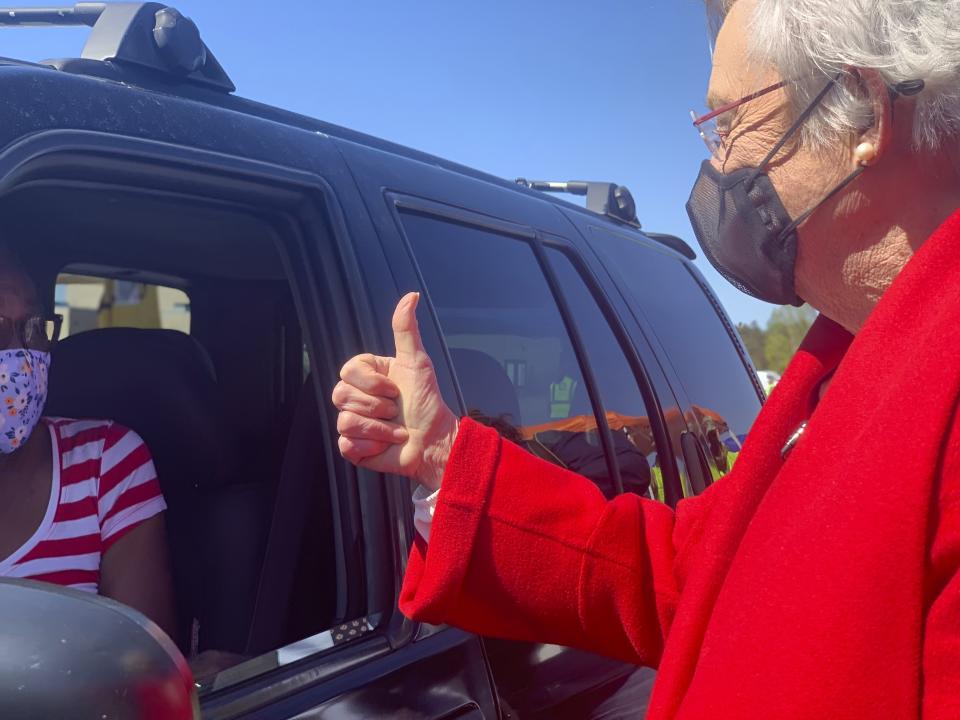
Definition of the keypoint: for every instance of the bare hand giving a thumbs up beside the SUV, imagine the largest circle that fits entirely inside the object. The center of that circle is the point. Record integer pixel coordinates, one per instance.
(392, 417)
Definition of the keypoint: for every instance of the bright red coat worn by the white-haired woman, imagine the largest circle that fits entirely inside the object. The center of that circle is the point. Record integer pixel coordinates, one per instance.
(824, 586)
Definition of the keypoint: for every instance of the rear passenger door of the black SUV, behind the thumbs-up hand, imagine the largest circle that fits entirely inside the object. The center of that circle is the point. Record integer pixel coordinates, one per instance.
(536, 352)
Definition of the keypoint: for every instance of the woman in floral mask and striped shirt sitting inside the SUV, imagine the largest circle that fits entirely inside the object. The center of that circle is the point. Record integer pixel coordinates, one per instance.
(80, 505)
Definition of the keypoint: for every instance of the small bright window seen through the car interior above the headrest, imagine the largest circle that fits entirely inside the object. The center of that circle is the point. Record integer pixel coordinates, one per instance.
(88, 302)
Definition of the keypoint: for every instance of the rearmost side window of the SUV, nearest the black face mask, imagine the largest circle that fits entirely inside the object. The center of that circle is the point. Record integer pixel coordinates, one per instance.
(714, 376)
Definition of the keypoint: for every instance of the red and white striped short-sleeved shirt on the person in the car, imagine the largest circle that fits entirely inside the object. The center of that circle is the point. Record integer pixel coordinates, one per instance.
(104, 485)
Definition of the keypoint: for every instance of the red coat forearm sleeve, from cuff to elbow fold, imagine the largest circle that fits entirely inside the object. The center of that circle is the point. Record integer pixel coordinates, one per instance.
(524, 550)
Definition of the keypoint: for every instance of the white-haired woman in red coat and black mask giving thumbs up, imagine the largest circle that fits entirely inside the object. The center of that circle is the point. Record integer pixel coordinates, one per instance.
(820, 578)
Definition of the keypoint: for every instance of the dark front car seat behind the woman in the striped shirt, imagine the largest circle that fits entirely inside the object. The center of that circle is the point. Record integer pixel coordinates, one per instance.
(162, 384)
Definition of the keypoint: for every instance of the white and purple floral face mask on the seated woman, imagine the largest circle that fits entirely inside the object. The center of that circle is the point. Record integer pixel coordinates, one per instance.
(23, 393)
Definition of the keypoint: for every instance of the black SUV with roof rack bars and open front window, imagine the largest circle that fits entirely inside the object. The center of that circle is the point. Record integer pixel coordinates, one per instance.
(590, 342)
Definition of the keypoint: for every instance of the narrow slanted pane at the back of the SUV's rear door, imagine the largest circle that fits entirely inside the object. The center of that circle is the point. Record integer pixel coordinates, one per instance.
(627, 413)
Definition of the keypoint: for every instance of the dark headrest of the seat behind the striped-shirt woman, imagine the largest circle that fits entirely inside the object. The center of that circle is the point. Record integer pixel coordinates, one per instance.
(160, 383)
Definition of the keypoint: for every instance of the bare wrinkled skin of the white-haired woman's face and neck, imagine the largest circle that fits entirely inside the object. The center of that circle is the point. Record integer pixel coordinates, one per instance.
(850, 249)
